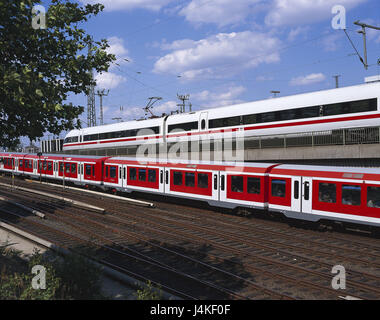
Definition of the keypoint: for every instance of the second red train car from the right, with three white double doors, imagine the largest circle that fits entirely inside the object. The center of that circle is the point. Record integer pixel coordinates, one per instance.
(220, 184)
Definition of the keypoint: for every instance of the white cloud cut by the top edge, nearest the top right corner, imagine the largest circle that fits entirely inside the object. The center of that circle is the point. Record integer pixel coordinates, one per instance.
(296, 12)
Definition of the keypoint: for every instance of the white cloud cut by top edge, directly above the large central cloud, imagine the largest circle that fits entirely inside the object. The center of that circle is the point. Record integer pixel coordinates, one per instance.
(221, 12)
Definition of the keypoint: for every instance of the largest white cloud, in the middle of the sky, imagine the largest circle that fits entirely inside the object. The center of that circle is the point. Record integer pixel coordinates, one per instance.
(219, 55)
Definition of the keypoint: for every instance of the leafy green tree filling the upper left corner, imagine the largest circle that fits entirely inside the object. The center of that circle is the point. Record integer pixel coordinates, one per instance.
(41, 67)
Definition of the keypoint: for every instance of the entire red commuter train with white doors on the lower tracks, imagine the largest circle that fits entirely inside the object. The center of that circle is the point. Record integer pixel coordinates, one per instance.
(301, 192)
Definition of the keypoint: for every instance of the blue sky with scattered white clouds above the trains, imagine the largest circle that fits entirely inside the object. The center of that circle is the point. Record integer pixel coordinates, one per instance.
(224, 52)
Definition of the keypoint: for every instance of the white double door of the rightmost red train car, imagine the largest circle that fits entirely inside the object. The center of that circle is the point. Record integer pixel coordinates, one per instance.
(301, 194)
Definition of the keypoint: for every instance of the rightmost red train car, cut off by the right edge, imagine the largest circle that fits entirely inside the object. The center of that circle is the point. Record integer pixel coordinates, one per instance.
(318, 192)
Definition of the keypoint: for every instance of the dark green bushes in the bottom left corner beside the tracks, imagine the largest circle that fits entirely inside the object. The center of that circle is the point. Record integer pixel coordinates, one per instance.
(73, 277)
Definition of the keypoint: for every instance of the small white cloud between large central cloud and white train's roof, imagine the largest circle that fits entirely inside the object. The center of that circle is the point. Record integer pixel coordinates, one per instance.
(227, 96)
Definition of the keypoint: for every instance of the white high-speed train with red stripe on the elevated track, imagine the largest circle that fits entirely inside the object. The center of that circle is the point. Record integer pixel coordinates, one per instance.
(348, 107)
